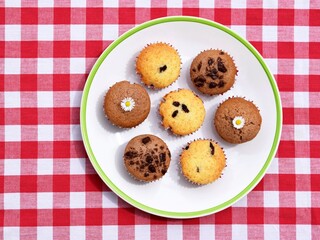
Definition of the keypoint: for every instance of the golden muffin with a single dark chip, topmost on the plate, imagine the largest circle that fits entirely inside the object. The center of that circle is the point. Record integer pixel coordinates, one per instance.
(158, 65)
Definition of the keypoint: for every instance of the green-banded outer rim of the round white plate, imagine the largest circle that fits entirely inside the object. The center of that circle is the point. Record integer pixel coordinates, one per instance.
(122, 194)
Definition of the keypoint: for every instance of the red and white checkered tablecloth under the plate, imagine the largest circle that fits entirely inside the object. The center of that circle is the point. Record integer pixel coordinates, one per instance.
(48, 187)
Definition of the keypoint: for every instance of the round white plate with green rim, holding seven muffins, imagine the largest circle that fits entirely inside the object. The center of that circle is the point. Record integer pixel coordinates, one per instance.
(172, 196)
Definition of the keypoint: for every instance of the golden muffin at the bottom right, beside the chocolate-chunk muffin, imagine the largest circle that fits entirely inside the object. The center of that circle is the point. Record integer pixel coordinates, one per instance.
(202, 161)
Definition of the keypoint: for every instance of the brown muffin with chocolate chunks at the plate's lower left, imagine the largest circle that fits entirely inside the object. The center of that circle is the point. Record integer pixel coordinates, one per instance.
(147, 157)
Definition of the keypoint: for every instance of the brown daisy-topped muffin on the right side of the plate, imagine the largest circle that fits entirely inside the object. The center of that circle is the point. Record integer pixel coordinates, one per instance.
(237, 120)
